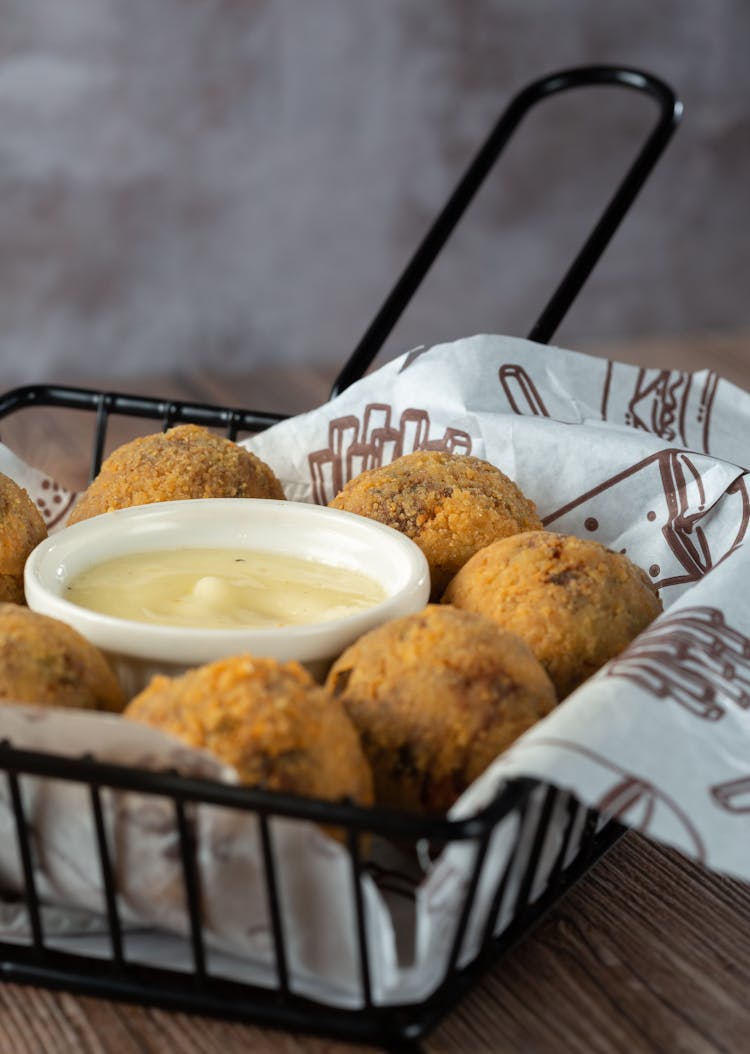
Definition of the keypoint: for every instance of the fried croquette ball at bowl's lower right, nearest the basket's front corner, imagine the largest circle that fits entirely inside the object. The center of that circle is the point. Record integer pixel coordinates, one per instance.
(436, 697)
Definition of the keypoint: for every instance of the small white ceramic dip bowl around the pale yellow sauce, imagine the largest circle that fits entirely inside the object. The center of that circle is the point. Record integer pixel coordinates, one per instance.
(137, 651)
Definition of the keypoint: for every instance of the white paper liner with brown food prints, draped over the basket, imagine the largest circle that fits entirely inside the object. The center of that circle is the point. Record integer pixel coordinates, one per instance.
(650, 462)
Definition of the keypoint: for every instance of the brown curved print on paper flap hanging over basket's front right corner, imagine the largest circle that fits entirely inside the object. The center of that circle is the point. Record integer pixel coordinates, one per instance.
(635, 802)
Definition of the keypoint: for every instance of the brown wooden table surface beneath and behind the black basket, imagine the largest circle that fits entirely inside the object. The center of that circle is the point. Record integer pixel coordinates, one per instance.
(648, 953)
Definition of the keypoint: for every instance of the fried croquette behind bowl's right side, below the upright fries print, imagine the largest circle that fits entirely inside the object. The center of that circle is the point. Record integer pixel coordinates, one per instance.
(450, 505)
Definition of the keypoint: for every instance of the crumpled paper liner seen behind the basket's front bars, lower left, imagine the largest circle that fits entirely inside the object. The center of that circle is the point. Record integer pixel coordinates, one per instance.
(313, 870)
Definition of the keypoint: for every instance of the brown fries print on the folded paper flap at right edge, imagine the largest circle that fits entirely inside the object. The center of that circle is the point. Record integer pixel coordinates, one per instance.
(693, 658)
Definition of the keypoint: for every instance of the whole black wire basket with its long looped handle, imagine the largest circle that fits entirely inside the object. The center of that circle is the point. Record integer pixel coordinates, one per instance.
(556, 838)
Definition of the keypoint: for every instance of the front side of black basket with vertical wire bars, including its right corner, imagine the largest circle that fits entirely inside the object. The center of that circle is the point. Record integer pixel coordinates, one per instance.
(579, 841)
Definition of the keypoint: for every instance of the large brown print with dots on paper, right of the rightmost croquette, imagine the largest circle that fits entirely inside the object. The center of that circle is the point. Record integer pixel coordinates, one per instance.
(680, 512)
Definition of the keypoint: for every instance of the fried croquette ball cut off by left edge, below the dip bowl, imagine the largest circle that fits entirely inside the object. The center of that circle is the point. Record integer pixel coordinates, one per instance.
(46, 661)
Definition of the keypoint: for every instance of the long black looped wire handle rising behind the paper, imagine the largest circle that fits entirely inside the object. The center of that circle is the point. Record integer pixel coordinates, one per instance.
(399, 299)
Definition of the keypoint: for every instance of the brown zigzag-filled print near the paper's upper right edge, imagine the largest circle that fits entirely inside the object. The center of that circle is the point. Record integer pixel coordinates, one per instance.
(670, 404)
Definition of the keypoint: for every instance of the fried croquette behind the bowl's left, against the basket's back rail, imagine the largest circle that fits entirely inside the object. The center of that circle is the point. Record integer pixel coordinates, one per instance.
(185, 462)
